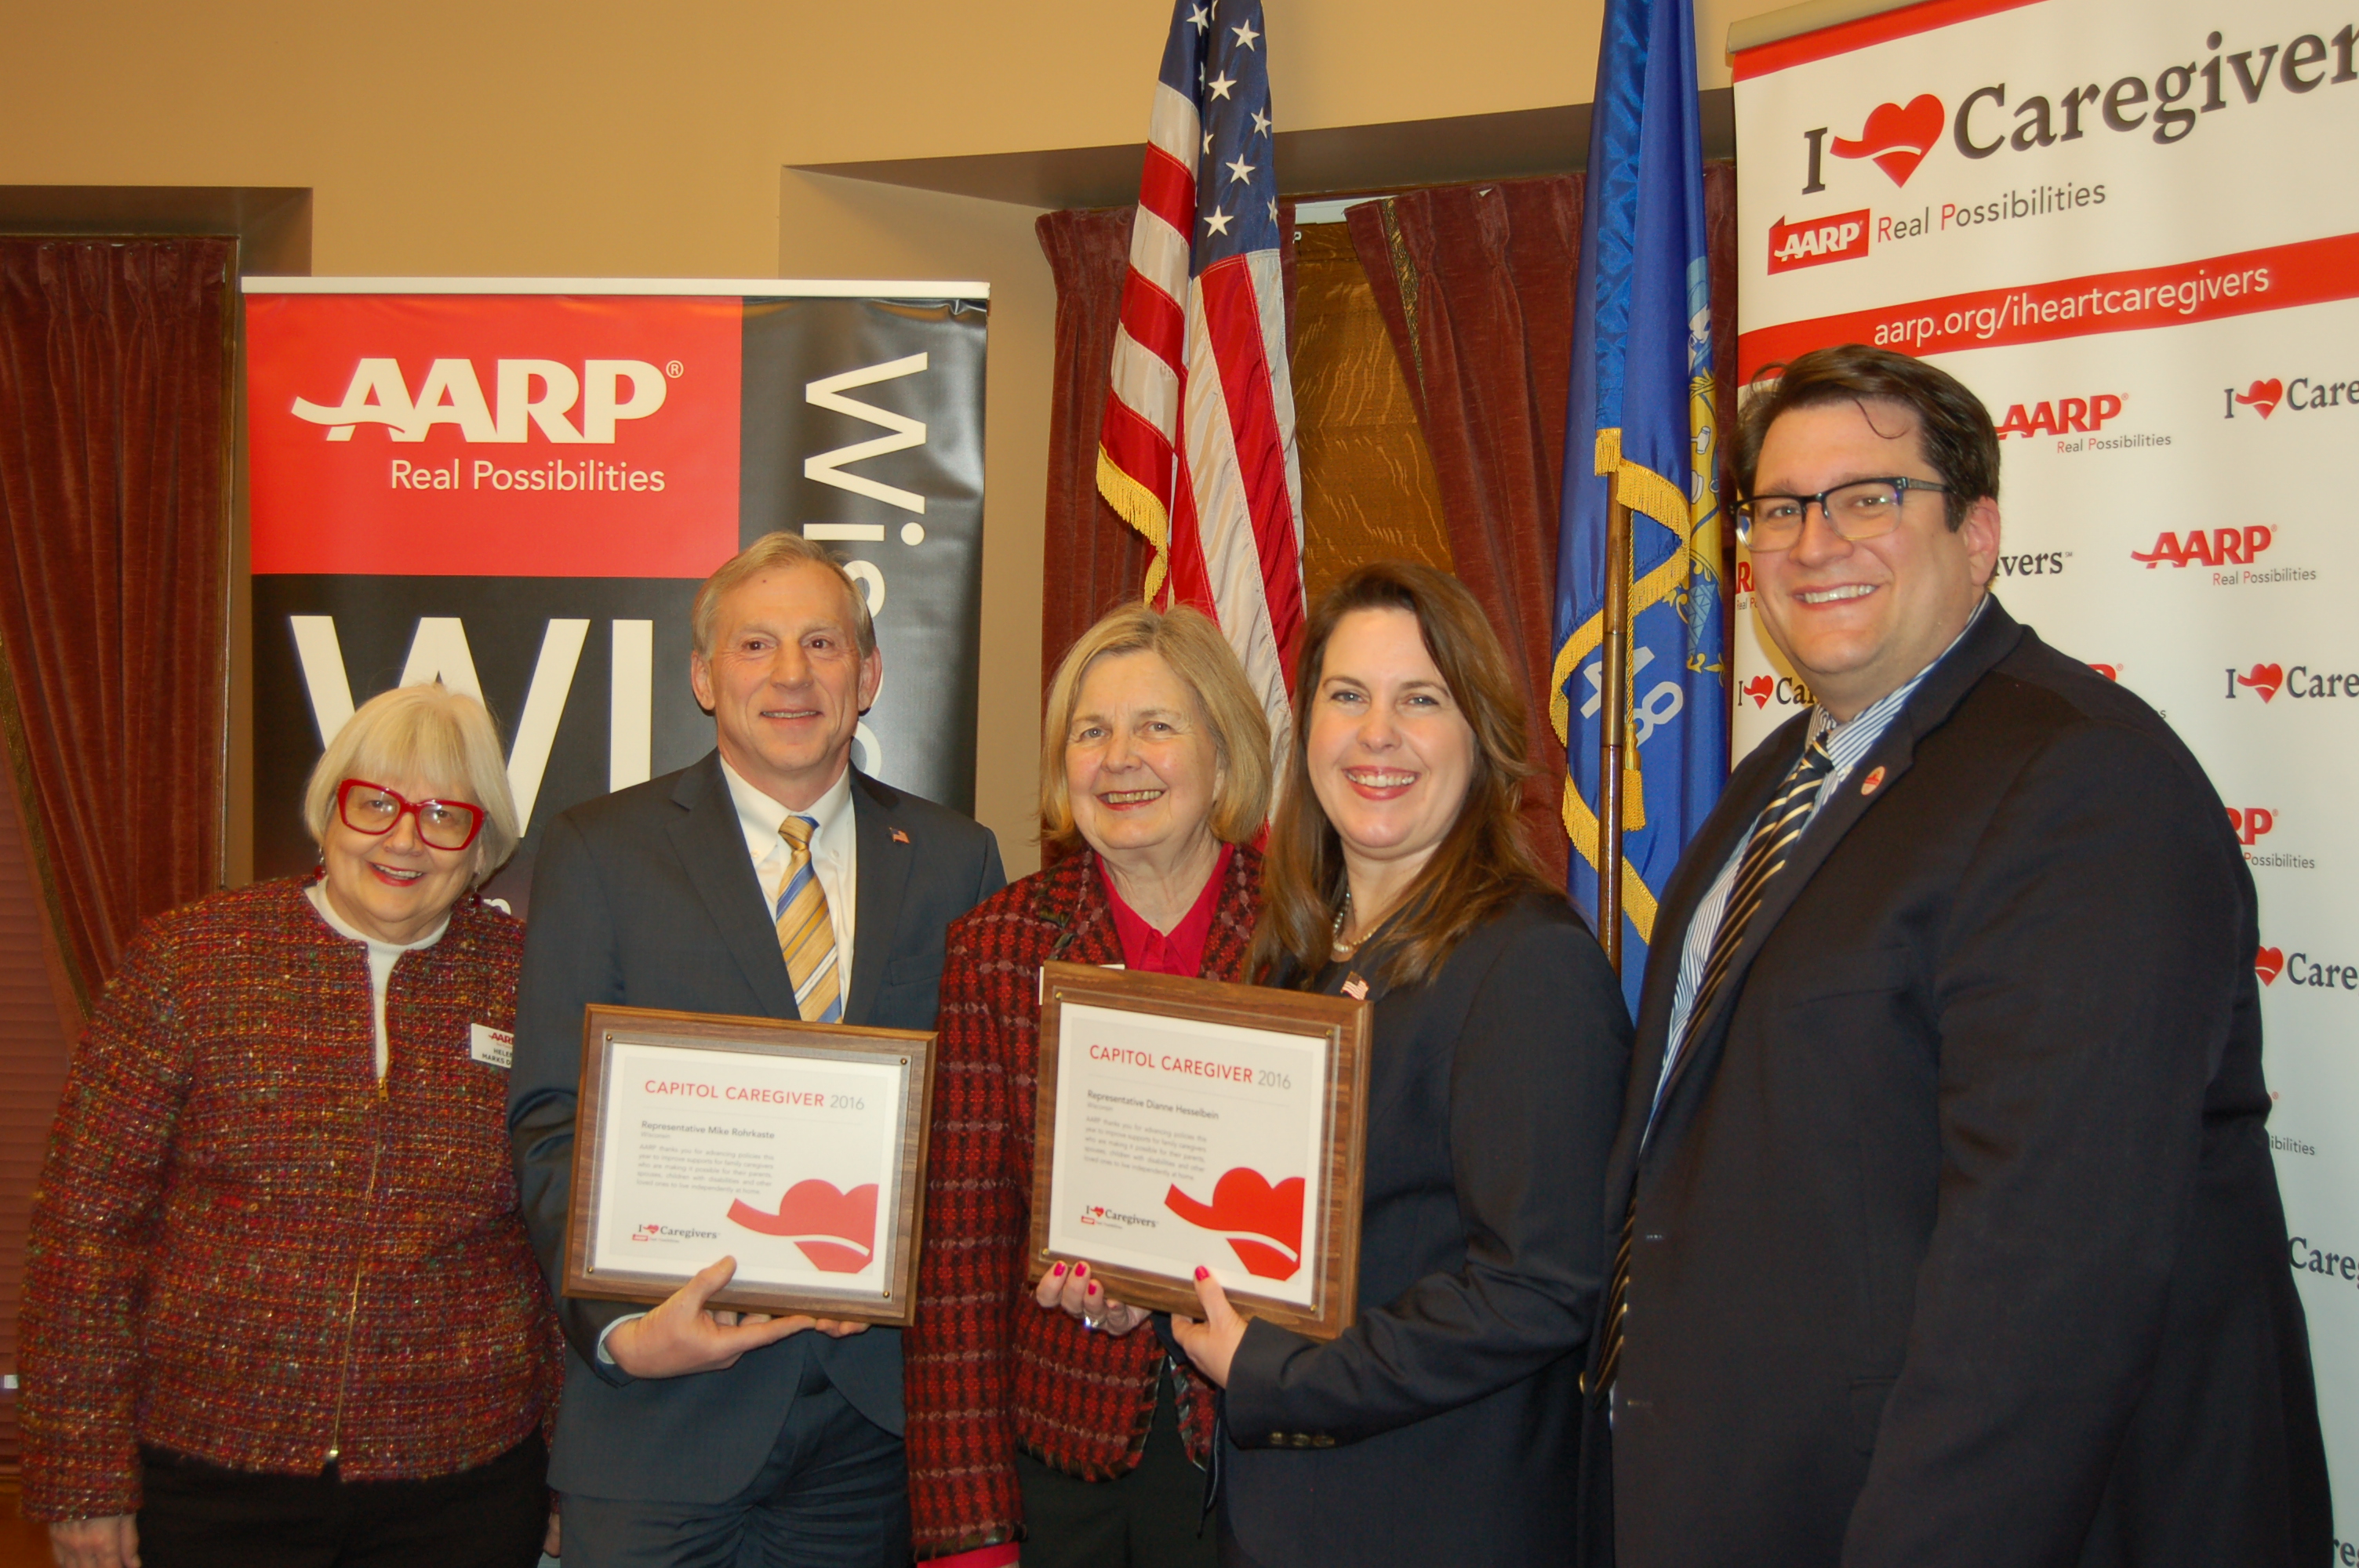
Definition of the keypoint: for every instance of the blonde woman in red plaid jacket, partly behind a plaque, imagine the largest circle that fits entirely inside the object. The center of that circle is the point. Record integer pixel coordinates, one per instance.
(1077, 1432)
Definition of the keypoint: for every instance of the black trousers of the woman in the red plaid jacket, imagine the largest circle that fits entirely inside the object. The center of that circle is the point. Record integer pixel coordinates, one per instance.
(1145, 1520)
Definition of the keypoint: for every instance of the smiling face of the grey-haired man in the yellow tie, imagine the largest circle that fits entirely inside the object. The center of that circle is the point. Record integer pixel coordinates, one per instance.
(787, 683)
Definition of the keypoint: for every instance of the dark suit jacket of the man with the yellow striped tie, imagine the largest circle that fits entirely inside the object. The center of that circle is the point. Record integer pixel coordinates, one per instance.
(648, 900)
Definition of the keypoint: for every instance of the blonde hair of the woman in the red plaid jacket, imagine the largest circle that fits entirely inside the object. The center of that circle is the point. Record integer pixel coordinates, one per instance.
(1195, 650)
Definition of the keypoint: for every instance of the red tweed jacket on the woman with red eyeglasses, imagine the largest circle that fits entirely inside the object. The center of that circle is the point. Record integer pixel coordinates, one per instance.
(249, 1251)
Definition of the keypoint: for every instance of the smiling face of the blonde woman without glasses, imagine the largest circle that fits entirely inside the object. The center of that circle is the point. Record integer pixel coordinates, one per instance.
(1141, 765)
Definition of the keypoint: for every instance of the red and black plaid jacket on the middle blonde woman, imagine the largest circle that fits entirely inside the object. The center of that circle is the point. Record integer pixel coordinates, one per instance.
(985, 1369)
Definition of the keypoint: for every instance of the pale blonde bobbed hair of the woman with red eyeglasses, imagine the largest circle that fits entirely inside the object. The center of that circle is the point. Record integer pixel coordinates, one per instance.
(423, 732)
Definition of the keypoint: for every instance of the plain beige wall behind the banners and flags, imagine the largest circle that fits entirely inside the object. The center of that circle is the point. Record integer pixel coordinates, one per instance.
(629, 140)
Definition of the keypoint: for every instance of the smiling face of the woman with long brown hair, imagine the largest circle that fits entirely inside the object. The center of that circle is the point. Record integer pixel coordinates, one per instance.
(1391, 753)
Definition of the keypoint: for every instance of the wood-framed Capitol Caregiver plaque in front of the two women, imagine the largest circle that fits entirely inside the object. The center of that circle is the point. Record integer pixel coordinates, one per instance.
(1190, 1124)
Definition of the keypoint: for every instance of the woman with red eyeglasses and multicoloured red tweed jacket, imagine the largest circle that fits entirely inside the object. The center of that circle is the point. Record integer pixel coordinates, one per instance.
(280, 1303)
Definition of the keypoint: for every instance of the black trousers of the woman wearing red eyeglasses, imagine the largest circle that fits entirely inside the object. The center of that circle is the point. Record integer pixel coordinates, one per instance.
(199, 1515)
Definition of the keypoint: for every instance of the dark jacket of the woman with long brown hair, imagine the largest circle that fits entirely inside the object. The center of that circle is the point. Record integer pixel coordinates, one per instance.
(1440, 1428)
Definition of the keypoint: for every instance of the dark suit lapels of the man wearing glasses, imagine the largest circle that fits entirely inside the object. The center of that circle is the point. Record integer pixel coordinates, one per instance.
(1893, 753)
